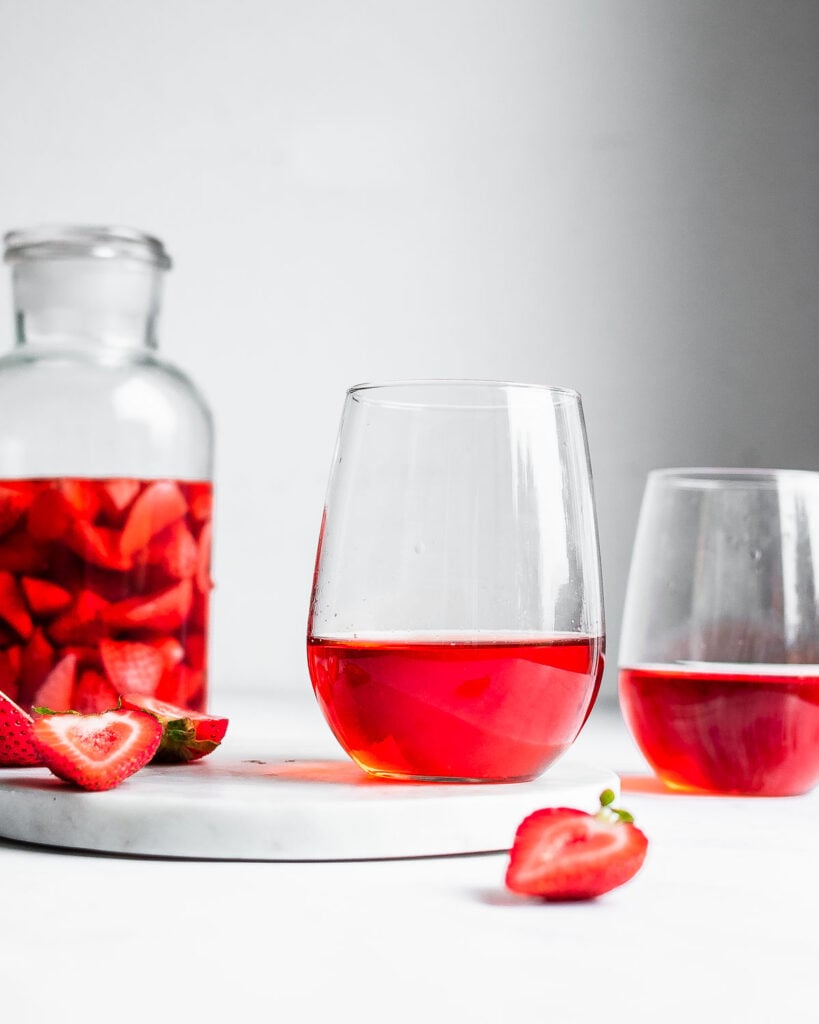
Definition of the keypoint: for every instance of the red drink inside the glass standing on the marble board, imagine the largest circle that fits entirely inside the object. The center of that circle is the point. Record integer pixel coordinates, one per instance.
(495, 711)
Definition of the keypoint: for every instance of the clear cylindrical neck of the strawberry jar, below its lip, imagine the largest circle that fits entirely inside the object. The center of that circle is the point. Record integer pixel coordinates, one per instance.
(87, 303)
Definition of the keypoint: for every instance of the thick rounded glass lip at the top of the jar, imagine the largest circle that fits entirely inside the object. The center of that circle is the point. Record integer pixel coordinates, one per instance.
(64, 242)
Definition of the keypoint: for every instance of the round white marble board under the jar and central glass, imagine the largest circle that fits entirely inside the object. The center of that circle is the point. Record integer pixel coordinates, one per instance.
(252, 808)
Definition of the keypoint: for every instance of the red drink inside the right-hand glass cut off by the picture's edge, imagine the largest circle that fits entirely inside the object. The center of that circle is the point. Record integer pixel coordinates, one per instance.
(727, 732)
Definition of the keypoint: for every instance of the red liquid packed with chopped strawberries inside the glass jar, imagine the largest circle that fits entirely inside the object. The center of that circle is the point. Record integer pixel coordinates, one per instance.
(115, 573)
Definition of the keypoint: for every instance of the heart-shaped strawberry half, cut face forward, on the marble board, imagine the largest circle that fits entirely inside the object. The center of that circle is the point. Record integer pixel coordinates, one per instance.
(97, 752)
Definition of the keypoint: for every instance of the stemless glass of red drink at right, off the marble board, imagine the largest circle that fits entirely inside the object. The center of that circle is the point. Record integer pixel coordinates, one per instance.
(720, 651)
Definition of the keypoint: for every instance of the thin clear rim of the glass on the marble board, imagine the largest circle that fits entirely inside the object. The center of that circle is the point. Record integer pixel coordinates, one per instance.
(420, 393)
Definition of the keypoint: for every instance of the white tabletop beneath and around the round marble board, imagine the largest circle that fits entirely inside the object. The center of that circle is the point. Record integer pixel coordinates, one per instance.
(721, 925)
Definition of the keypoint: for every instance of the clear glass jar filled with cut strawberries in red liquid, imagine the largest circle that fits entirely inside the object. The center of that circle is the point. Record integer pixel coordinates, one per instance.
(106, 497)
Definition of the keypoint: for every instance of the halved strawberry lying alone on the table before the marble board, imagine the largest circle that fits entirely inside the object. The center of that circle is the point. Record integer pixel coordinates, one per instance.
(566, 855)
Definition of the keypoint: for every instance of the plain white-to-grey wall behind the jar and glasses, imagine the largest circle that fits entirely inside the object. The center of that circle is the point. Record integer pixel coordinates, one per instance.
(621, 197)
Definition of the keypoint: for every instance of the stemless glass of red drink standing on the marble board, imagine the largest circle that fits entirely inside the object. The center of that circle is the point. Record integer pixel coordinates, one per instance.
(456, 627)
